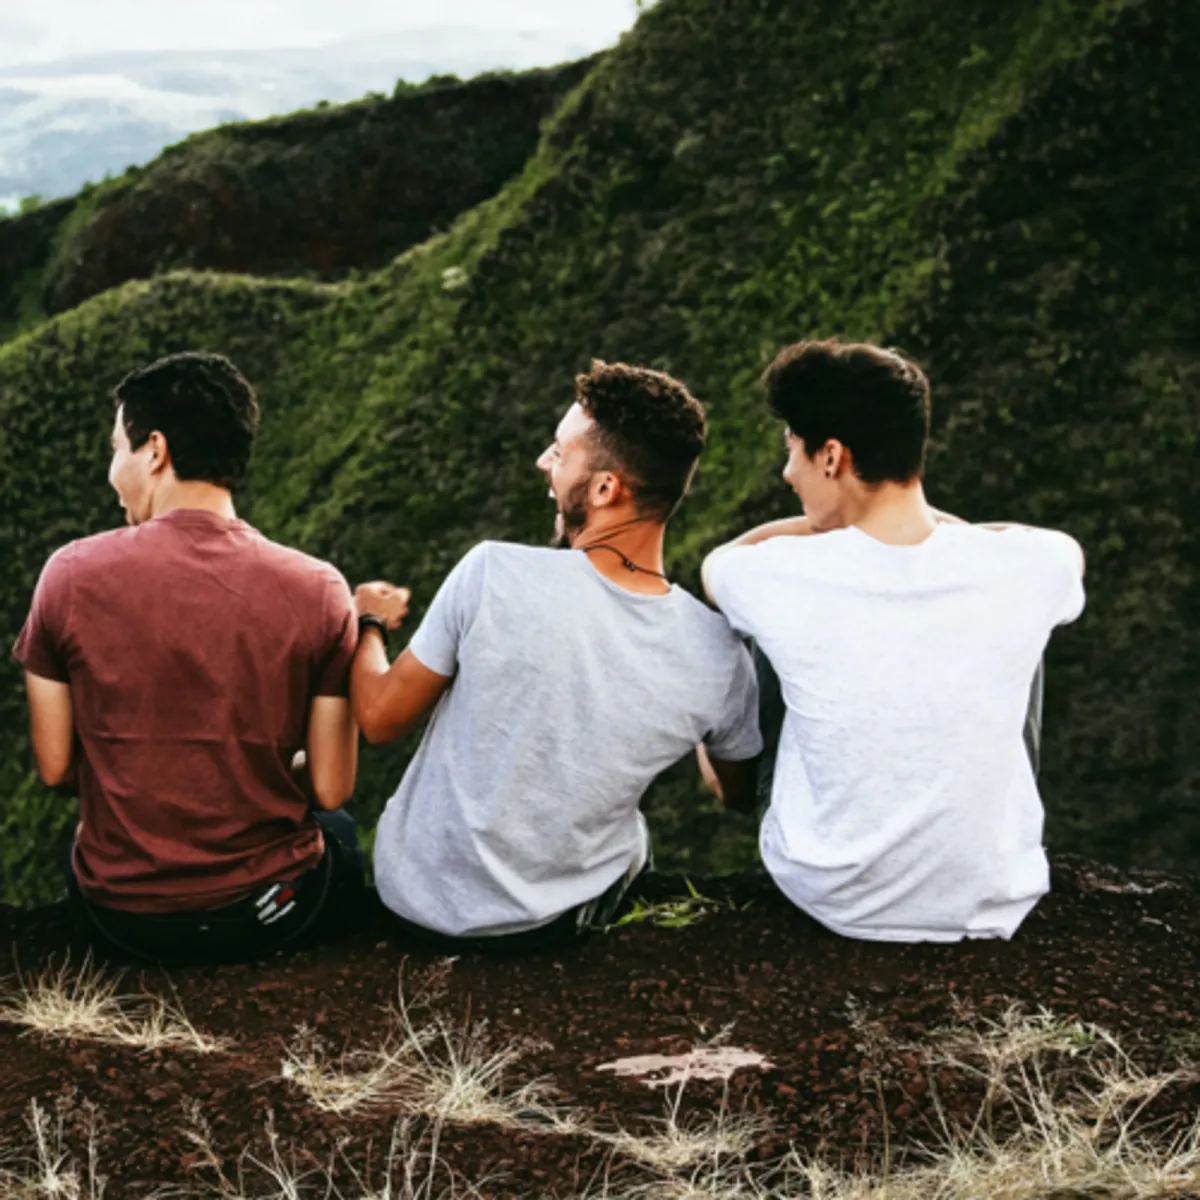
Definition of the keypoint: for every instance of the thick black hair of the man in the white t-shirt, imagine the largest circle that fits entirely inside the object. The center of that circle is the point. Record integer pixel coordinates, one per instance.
(873, 400)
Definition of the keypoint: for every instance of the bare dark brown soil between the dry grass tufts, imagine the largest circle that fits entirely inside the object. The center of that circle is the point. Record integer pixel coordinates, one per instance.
(1117, 951)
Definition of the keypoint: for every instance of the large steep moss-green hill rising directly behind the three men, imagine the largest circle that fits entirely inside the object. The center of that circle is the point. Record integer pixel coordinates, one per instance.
(1004, 190)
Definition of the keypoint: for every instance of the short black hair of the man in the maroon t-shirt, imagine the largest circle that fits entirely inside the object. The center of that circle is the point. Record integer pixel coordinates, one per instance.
(205, 409)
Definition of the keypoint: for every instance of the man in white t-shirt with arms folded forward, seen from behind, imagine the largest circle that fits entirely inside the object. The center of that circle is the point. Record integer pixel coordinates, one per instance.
(904, 805)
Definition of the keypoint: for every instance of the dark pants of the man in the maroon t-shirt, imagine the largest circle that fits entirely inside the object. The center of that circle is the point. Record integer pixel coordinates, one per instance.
(277, 917)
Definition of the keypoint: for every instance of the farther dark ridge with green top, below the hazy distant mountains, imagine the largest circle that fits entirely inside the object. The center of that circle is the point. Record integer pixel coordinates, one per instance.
(319, 194)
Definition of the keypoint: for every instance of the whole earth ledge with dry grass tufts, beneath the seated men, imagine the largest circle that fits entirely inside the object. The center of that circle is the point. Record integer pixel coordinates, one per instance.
(927, 1035)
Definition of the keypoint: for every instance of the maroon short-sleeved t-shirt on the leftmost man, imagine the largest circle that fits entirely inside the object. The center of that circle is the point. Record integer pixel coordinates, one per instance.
(194, 649)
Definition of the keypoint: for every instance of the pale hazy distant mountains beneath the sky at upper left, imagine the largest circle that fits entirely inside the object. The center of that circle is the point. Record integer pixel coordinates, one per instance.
(76, 121)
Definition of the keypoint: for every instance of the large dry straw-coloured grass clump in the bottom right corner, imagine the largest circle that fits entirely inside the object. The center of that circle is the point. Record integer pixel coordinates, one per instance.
(1073, 1105)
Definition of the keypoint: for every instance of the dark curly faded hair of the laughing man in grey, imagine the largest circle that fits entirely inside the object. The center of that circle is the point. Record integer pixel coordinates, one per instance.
(650, 429)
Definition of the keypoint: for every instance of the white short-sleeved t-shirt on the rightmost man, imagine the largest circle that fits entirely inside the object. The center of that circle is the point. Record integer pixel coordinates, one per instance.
(904, 806)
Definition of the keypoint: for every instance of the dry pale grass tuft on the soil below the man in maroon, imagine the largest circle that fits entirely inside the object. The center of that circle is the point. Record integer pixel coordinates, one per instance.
(86, 1005)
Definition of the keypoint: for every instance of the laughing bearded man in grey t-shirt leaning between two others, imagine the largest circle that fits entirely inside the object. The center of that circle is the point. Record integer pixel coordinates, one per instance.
(565, 680)
